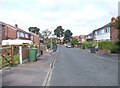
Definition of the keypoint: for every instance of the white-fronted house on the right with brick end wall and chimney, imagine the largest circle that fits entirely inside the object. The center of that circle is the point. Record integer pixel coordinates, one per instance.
(107, 33)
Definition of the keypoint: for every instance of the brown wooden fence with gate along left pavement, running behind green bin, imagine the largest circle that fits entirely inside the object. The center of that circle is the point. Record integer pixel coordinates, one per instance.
(10, 54)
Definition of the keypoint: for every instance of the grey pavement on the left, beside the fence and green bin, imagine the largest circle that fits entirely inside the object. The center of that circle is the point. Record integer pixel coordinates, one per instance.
(28, 74)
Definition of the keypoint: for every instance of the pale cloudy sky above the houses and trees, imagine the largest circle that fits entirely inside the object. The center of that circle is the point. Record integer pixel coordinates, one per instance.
(79, 16)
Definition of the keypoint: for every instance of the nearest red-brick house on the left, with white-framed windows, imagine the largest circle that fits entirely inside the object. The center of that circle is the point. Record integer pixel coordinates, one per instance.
(13, 32)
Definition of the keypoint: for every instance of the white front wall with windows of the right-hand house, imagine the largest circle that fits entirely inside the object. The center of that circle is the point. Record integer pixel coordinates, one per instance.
(102, 33)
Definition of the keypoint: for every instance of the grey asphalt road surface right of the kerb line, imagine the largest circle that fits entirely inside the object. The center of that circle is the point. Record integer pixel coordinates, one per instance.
(75, 67)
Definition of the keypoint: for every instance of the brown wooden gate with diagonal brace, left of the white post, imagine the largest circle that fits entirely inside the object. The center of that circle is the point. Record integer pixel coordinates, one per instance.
(9, 55)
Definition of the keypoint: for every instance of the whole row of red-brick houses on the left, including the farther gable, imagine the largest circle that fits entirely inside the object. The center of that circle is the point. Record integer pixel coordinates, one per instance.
(13, 32)
